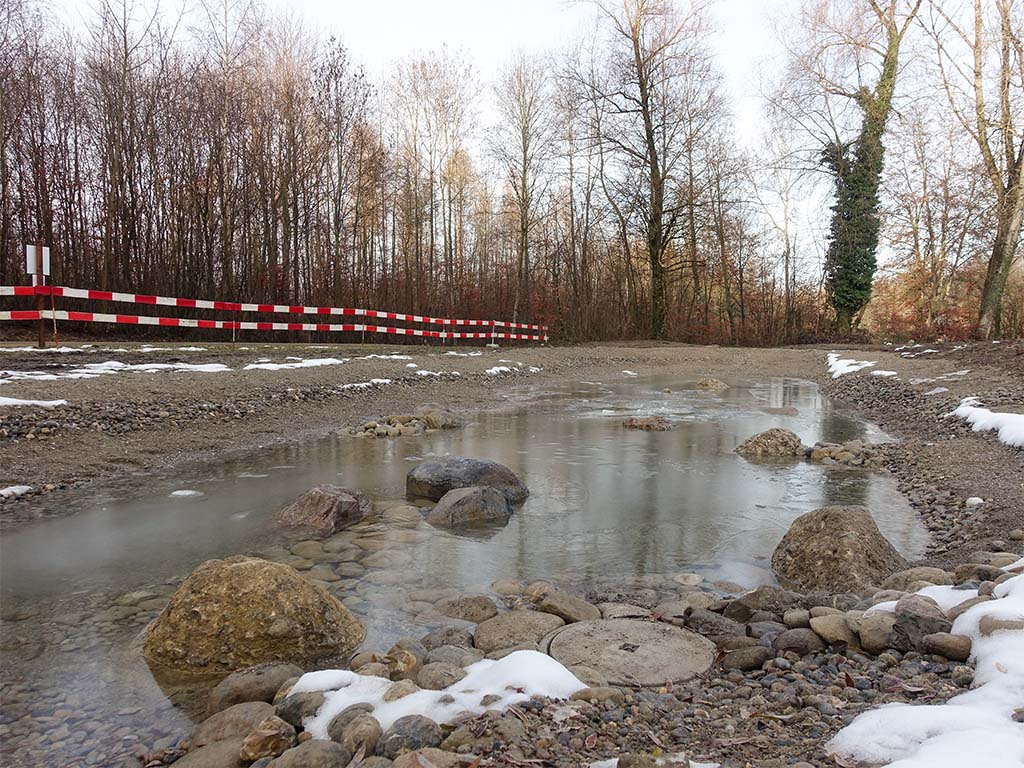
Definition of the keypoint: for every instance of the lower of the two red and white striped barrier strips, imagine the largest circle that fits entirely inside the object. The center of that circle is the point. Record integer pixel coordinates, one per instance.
(136, 320)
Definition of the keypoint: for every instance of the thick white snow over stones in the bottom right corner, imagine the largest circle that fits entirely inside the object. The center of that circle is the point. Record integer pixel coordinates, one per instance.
(975, 729)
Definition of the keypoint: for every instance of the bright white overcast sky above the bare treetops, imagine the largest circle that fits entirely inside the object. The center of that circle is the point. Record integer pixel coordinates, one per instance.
(379, 33)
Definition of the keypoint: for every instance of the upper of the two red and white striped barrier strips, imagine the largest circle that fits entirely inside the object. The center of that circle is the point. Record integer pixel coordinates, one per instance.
(134, 298)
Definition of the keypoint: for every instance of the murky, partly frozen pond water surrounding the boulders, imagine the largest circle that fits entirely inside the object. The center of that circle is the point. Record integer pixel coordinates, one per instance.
(609, 506)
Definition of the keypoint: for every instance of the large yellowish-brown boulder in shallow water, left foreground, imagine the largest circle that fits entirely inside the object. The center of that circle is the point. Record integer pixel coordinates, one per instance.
(242, 612)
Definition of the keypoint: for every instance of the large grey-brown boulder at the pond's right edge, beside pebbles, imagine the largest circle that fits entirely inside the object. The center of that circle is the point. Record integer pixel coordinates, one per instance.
(836, 549)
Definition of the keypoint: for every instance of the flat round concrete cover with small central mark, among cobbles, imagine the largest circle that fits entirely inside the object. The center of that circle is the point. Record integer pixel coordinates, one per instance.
(628, 652)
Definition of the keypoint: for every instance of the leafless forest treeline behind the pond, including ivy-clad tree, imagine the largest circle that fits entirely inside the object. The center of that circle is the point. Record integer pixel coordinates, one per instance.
(601, 190)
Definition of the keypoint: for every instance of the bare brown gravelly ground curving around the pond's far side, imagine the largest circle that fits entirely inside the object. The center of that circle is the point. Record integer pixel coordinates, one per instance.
(134, 420)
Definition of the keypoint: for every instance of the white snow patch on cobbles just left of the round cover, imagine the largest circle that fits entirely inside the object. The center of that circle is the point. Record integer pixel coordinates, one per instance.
(516, 678)
